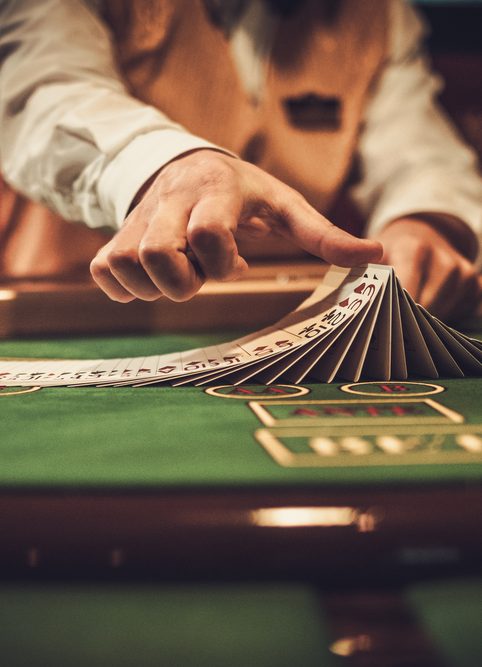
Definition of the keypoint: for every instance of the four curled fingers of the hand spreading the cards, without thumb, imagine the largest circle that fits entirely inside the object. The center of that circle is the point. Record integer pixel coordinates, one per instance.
(172, 253)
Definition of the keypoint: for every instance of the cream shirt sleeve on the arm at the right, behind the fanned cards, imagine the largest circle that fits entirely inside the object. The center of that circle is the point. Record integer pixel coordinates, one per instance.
(411, 157)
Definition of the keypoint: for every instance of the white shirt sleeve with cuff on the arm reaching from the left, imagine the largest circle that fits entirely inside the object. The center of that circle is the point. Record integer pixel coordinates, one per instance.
(71, 136)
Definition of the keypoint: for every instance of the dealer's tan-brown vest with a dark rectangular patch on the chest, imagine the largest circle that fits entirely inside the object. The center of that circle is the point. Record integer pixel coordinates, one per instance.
(304, 130)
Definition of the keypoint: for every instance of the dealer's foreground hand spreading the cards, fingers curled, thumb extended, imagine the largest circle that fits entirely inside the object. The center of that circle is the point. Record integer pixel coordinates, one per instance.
(183, 229)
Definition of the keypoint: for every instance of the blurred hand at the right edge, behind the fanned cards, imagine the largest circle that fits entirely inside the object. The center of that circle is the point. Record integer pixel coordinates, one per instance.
(435, 274)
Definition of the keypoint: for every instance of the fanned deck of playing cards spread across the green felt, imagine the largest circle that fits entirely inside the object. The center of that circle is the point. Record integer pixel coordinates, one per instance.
(358, 324)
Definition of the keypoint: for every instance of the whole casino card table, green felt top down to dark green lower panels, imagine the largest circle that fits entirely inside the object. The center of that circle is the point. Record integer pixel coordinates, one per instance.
(327, 524)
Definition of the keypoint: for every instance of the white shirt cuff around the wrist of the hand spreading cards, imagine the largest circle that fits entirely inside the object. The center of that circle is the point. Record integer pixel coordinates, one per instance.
(136, 163)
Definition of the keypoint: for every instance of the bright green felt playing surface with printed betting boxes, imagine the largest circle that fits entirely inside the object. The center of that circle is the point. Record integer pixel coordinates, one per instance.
(171, 437)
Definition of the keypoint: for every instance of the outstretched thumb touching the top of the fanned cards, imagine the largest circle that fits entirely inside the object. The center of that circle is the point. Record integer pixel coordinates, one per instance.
(315, 234)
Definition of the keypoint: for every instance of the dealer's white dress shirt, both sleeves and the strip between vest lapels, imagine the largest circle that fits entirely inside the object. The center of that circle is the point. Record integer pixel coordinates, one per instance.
(73, 138)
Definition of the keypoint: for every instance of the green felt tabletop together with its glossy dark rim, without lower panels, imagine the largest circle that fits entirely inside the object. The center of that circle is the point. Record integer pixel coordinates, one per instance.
(238, 481)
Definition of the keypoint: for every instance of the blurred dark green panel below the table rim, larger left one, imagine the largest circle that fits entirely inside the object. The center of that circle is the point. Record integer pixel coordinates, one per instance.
(112, 625)
